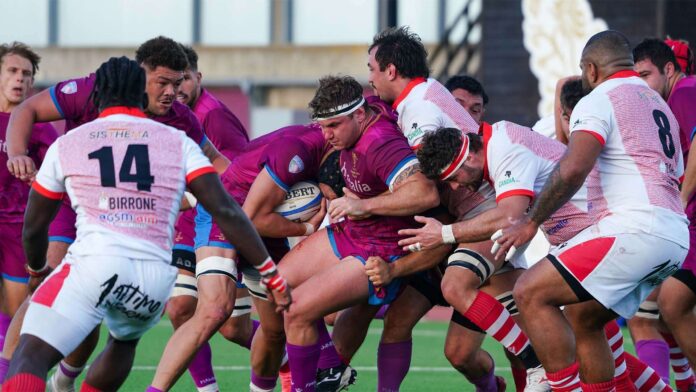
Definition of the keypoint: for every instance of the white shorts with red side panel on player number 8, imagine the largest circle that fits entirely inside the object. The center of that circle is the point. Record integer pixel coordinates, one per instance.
(616, 268)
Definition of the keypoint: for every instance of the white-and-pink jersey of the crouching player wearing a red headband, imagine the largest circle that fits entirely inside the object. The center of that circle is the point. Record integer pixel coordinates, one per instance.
(518, 163)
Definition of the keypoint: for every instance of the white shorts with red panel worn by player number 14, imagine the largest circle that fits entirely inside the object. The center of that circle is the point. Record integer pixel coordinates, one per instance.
(128, 294)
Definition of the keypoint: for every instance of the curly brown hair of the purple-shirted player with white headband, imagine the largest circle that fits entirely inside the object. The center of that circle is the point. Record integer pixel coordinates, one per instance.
(332, 92)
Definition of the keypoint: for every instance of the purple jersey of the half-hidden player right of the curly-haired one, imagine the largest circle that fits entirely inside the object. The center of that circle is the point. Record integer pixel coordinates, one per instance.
(221, 126)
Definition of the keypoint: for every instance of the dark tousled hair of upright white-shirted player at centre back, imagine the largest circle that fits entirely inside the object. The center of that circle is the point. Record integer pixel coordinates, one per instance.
(404, 49)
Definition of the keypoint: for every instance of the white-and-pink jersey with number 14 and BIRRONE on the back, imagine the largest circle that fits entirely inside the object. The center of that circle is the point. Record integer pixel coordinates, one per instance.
(125, 175)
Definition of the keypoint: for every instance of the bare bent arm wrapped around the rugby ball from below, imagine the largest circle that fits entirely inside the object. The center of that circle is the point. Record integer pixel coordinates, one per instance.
(264, 196)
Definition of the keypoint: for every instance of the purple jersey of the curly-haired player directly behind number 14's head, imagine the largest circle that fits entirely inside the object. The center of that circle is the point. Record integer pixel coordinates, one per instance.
(71, 98)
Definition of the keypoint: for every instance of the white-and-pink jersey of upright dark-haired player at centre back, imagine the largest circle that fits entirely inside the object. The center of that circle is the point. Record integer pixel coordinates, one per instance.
(425, 106)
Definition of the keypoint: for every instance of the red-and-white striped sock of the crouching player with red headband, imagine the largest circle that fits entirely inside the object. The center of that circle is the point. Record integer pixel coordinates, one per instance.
(491, 316)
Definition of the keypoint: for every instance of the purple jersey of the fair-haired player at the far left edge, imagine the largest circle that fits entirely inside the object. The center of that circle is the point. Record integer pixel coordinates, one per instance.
(14, 192)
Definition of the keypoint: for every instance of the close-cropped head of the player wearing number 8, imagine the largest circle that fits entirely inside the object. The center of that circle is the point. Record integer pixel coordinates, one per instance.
(605, 54)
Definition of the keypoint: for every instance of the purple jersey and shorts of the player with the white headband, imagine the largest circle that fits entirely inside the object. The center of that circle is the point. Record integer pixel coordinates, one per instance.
(370, 168)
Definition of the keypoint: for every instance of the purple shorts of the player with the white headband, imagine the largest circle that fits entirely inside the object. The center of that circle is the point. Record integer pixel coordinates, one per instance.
(348, 239)
